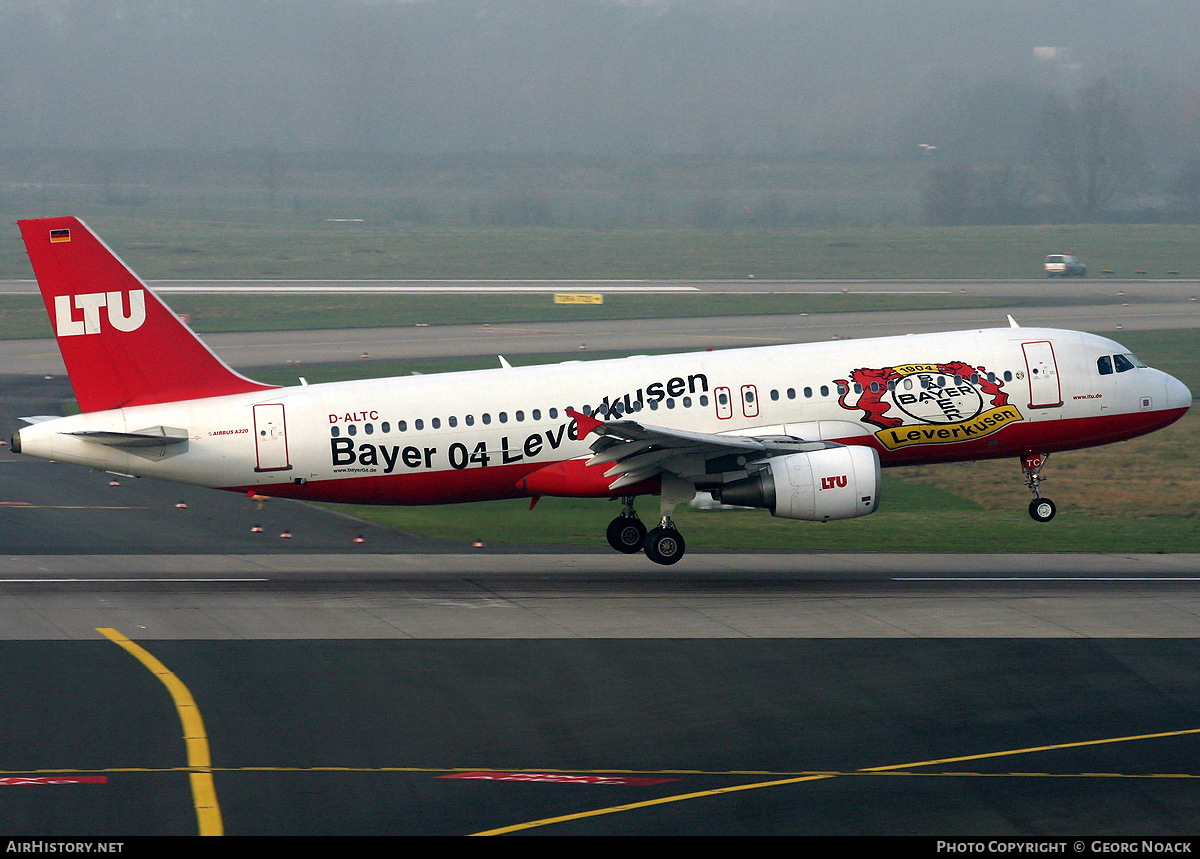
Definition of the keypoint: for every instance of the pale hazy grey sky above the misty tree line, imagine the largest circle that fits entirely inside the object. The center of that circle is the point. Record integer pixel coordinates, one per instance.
(580, 76)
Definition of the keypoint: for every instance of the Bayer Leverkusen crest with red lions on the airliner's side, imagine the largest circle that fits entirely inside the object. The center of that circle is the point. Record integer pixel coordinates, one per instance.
(929, 404)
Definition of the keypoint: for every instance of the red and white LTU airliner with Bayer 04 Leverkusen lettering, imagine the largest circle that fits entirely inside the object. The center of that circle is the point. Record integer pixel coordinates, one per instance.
(800, 430)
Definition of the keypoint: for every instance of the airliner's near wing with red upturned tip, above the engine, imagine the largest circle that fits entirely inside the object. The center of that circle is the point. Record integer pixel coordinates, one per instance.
(639, 452)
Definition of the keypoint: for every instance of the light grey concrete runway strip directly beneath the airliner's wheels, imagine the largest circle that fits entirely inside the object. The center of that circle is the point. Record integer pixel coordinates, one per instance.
(589, 597)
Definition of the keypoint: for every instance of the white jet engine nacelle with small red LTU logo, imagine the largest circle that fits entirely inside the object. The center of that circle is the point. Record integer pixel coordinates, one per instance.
(832, 484)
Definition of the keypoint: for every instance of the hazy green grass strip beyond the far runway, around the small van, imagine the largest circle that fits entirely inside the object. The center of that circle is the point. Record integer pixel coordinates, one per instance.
(218, 249)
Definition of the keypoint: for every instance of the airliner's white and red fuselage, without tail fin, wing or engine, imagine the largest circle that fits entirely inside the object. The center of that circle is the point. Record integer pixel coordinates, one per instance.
(472, 436)
